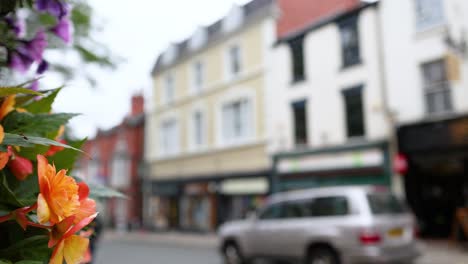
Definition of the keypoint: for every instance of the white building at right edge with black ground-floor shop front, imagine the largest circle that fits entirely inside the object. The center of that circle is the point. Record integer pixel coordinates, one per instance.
(427, 79)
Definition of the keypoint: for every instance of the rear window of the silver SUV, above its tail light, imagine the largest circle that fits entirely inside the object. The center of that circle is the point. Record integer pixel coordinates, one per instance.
(384, 203)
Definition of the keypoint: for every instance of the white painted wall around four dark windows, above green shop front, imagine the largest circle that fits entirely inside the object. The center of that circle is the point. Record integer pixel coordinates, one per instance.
(325, 80)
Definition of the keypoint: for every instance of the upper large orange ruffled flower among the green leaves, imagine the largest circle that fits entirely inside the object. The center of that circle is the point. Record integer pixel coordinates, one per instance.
(58, 197)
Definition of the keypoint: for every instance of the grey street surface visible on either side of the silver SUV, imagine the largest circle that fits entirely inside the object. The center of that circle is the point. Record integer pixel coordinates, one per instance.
(174, 247)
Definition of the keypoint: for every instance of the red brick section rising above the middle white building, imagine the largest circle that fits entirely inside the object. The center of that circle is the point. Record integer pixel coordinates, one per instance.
(297, 14)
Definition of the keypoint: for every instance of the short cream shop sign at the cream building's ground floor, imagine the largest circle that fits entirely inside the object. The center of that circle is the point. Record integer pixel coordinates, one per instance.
(259, 185)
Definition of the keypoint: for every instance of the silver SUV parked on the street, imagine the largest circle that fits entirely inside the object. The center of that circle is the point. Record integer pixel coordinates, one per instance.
(359, 224)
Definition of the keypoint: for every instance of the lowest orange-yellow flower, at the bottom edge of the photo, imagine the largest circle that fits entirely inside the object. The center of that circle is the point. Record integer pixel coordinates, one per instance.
(69, 246)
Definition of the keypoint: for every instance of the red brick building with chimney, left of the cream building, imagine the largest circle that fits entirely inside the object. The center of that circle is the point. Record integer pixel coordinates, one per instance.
(116, 158)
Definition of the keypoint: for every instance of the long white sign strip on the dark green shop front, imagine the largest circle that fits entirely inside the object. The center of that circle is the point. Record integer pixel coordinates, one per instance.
(332, 161)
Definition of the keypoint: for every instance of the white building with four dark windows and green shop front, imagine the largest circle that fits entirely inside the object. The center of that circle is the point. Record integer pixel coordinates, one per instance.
(326, 117)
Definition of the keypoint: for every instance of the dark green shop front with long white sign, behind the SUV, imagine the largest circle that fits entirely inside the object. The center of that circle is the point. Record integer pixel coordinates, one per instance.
(353, 164)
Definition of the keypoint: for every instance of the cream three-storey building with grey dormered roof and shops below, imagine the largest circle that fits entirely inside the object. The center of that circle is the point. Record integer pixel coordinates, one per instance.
(206, 138)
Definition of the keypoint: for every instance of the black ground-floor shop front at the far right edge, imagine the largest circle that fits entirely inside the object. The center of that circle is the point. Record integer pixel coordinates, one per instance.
(436, 181)
